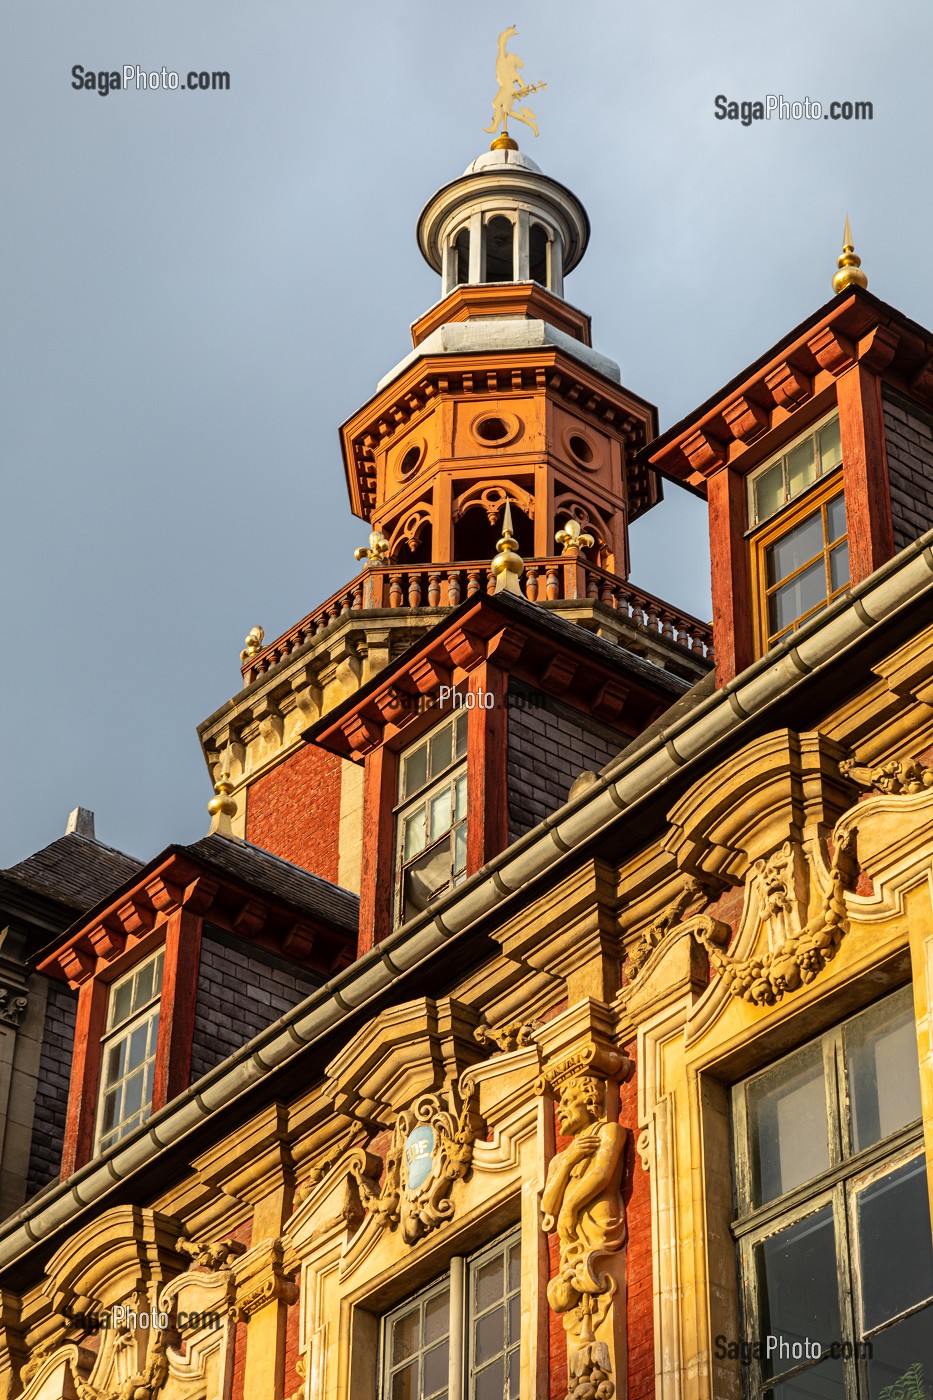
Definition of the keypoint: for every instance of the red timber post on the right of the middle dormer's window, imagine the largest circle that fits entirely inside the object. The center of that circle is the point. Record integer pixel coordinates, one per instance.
(487, 768)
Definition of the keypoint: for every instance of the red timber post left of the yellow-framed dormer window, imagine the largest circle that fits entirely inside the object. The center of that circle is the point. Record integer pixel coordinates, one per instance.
(731, 575)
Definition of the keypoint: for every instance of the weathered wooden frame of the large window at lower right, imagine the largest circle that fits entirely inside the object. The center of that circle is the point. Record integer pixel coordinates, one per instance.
(838, 1186)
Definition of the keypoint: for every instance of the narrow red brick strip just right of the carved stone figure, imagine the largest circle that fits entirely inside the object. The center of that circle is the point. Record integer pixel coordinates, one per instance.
(638, 1213)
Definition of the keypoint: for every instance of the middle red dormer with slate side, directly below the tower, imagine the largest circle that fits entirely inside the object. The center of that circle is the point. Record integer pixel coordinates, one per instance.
(474, 736)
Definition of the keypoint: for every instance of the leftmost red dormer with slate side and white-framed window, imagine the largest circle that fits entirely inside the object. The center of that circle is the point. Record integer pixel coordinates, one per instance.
(184, 965)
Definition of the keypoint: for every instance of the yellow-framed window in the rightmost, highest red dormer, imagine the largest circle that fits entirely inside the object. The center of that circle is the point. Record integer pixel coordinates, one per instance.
(801, 558)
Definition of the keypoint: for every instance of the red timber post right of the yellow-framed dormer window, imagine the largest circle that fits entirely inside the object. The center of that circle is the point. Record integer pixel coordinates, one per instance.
(865, 465)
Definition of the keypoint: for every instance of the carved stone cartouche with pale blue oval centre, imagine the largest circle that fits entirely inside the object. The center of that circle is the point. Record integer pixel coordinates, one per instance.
(431, 1150)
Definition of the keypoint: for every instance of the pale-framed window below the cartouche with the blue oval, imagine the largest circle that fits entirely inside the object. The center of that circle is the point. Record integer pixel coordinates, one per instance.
(478, 1305)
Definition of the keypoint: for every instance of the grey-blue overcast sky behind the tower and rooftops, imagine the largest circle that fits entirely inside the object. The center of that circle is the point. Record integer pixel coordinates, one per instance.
(198, 288)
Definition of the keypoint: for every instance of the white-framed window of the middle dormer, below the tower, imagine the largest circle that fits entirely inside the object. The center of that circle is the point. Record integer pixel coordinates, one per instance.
(432, 817)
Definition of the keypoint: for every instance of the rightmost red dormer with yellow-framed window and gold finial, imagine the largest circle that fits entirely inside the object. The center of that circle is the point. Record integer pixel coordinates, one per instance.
(817, 465)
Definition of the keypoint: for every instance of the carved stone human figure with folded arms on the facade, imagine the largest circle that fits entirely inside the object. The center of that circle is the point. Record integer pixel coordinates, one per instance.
(583, 1203)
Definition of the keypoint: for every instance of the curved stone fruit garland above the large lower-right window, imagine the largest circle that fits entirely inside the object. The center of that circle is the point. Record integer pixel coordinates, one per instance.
(766, 979)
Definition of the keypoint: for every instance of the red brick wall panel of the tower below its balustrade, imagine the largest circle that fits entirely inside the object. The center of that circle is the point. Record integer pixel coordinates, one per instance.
(295, 811)
